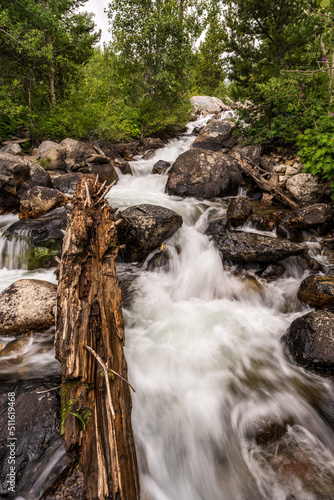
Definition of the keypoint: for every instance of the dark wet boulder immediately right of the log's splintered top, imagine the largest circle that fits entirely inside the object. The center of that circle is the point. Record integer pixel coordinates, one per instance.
(144, 228)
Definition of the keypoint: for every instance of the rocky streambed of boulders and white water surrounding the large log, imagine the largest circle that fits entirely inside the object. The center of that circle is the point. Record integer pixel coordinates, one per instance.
(228, 311)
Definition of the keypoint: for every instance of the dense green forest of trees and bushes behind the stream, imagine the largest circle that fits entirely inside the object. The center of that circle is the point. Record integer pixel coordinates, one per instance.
(279, 54)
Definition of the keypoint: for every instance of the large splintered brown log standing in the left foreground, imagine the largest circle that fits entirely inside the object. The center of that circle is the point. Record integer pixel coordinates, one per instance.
(96, 404)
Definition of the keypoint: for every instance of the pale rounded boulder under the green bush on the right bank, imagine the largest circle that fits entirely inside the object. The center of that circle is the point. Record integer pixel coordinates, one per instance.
(304, 188)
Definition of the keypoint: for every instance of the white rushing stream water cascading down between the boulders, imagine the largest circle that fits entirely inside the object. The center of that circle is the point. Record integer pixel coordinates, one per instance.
(204, 354)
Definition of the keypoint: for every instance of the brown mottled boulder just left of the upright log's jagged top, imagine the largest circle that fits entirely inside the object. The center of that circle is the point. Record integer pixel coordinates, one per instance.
(39, 200)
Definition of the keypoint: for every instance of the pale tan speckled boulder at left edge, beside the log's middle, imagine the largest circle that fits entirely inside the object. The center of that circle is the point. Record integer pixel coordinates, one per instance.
(27, 305)
